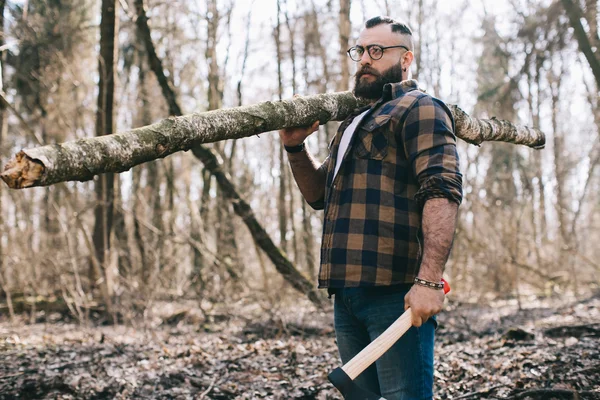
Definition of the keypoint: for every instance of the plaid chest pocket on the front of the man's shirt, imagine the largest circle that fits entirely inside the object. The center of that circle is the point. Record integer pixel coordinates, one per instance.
(372, 139)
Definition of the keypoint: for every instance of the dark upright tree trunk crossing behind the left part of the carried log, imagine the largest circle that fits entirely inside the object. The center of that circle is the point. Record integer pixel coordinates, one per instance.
(104, 187)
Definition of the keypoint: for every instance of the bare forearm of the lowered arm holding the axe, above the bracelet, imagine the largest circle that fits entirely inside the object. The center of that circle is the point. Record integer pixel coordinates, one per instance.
(438, 225)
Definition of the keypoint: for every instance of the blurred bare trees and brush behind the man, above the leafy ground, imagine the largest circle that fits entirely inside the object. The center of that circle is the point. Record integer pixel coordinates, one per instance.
(529, 223)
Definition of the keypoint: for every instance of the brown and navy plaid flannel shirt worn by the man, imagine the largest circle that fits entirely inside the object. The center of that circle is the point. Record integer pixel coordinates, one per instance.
(402, 153)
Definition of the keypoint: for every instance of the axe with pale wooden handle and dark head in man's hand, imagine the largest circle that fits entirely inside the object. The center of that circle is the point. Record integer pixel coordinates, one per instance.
(343, 377)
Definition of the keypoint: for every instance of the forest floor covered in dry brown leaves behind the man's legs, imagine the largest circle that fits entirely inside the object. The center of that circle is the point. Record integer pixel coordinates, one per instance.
(550, 348)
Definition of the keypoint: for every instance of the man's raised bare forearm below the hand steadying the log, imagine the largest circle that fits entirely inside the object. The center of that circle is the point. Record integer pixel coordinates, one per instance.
(309, 175)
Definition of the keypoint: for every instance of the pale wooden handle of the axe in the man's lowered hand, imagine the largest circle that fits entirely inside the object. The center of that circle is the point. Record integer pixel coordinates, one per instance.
(377, 347)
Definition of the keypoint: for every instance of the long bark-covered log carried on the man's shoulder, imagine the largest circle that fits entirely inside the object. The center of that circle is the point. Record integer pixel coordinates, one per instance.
(82, 159)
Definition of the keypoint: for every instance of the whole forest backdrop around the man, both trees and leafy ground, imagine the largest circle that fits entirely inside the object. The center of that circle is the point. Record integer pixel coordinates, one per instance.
(202, 310)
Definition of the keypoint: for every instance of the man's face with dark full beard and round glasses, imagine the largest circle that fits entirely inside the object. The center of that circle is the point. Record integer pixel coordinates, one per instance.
(372, 75)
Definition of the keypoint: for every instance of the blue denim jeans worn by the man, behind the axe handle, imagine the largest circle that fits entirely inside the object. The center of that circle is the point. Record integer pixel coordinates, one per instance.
(405, 371)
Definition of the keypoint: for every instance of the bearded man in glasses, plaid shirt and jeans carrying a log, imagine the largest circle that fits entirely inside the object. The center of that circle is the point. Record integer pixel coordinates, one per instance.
(390, 188)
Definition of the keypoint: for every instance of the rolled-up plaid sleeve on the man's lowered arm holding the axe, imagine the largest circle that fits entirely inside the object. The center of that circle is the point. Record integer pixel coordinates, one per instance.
(430, 147)
